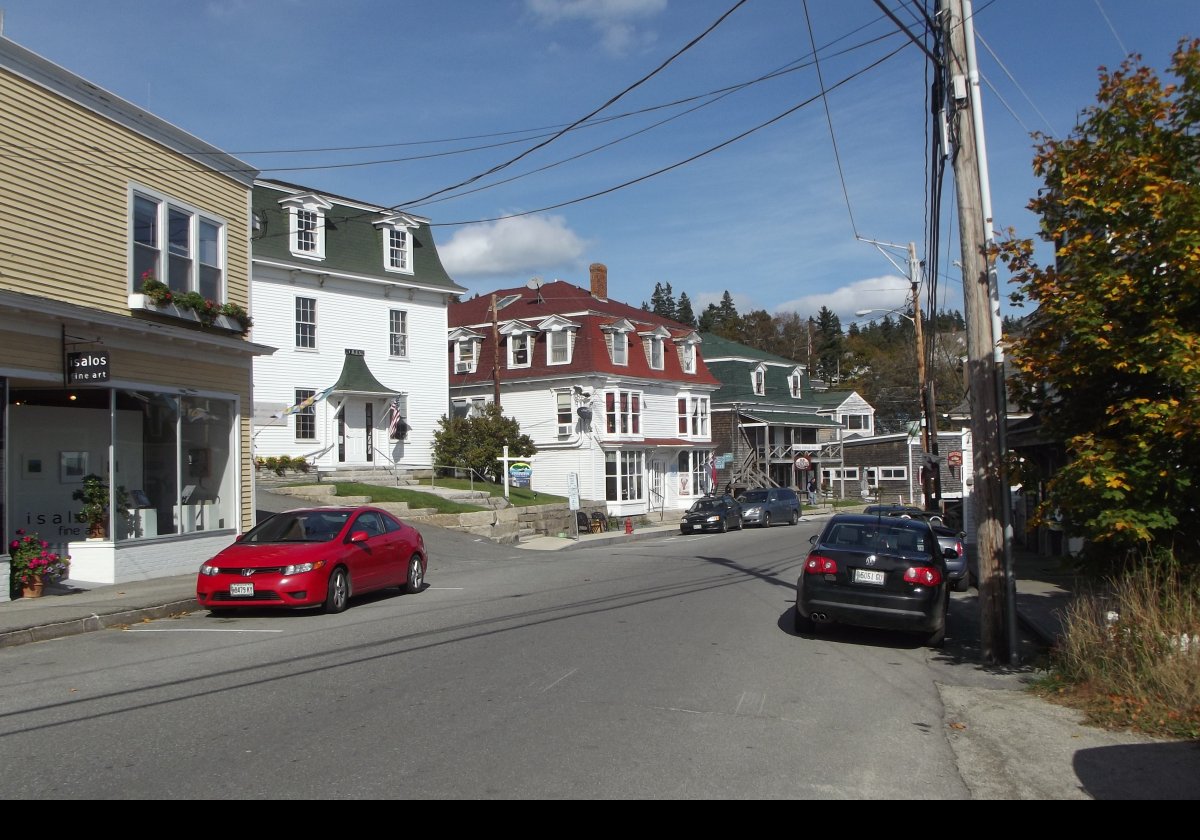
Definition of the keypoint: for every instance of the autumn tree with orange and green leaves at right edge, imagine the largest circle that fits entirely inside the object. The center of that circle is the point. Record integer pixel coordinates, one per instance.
(1111, 359)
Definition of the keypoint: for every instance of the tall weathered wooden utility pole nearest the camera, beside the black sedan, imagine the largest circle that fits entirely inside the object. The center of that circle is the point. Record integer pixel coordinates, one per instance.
(988, 491)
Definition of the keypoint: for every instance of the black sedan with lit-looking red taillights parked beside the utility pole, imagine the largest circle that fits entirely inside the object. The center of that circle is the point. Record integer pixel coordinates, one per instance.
(875, 572)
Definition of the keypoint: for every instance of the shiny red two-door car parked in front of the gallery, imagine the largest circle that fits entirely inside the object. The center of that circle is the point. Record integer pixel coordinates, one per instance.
(315, 557)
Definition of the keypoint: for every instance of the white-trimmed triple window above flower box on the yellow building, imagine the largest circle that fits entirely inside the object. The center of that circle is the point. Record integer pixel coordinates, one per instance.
(178, 245)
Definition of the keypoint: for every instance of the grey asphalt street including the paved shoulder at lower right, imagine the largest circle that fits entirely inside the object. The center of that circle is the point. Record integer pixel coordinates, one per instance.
(663, 669)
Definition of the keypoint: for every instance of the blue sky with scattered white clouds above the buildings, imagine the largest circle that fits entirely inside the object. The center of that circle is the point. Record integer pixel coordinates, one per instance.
(413, 104)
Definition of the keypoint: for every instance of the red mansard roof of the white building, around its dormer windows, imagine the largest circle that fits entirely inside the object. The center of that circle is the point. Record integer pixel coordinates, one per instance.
(591, 353)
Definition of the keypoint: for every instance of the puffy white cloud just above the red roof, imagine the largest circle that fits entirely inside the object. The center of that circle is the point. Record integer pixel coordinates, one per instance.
(512, 247)
